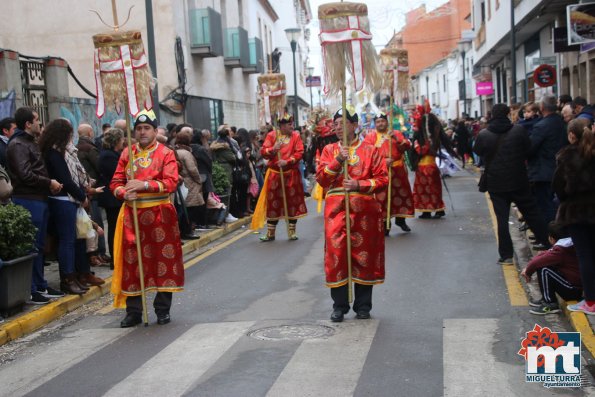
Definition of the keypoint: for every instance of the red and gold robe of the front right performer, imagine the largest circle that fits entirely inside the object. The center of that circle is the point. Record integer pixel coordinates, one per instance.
(367, 166)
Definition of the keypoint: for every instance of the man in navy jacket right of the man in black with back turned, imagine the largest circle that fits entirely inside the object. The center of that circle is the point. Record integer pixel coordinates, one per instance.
(547, 138)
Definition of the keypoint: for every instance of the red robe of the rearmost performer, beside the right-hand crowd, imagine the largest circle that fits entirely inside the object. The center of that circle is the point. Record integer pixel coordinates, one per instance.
(427, 188)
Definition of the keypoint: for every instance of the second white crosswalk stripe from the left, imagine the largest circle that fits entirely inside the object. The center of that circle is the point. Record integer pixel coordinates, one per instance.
(184, 361)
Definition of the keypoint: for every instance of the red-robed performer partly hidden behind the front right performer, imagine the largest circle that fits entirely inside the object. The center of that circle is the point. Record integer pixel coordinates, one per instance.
(401, 197)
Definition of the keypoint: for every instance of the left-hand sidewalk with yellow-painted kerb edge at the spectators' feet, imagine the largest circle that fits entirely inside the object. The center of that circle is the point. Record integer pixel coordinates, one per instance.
(34, 317)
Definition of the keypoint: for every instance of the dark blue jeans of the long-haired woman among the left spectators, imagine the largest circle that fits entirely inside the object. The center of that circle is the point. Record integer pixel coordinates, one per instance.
(63, 216)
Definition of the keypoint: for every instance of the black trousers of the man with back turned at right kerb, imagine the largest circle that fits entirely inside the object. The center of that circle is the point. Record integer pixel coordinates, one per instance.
(526, 204)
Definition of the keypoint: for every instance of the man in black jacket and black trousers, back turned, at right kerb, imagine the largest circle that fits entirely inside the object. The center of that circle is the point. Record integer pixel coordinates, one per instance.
(504, 149)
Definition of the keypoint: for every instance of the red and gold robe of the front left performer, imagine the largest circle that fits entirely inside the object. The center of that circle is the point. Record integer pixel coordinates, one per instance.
(161, 247)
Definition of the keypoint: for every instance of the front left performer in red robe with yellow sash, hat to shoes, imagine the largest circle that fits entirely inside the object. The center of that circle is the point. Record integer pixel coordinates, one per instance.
(155, 178)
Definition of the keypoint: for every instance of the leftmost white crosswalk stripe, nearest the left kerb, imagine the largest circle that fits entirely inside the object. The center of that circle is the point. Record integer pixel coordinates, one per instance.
(21, 377)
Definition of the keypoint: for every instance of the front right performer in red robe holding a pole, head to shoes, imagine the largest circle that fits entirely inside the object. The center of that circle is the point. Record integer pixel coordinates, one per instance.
(367, 176)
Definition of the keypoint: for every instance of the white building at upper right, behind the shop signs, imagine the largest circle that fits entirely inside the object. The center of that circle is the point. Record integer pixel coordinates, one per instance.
(534, 23)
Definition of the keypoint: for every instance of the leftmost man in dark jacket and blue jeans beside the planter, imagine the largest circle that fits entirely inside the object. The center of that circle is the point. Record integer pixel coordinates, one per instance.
(32, 186)
